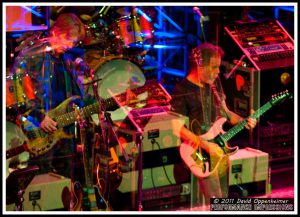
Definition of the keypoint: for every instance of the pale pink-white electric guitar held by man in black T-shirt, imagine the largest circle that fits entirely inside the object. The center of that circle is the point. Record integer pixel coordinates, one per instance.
(197, 159)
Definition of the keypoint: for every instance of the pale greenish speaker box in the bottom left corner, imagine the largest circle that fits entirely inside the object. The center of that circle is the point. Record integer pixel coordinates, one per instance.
(46, 192)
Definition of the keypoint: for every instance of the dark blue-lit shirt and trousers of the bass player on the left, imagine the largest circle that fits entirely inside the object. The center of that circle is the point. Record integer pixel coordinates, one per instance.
(54, 79)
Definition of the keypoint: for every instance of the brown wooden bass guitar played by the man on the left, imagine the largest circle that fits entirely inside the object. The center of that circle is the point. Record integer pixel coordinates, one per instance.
(40, 142)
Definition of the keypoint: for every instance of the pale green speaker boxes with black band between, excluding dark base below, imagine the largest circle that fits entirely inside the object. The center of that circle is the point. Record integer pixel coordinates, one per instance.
(160, 153)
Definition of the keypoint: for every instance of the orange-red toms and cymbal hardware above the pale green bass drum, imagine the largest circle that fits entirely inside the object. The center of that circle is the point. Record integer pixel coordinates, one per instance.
(123, 36)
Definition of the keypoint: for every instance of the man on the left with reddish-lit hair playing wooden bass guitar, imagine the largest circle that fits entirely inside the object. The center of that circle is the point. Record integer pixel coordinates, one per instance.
(49, 61)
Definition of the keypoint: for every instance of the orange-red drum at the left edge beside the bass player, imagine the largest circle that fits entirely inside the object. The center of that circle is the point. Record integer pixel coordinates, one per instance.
(19, 89)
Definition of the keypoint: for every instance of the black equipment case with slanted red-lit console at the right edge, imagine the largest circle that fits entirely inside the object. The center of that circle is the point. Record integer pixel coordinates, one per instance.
(258, 63)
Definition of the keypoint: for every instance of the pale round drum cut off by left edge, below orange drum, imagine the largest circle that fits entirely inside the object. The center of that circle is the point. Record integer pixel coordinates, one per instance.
(15, 138)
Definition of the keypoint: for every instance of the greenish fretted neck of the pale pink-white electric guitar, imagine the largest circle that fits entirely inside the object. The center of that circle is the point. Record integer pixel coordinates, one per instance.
(237, 128)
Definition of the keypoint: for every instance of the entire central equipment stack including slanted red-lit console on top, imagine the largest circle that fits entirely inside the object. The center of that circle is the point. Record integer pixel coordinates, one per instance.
(149, 123)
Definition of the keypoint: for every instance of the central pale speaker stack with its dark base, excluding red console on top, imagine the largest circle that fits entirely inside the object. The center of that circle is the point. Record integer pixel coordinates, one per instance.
(164, 175)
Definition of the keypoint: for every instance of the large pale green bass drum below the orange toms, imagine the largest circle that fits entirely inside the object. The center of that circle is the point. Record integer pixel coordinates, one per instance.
(117, 76)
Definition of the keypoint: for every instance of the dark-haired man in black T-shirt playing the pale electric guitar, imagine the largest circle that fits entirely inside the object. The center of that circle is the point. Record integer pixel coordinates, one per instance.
(200, 97)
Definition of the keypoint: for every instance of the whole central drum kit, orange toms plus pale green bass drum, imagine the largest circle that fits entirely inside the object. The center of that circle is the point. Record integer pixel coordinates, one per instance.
(114, 49)
